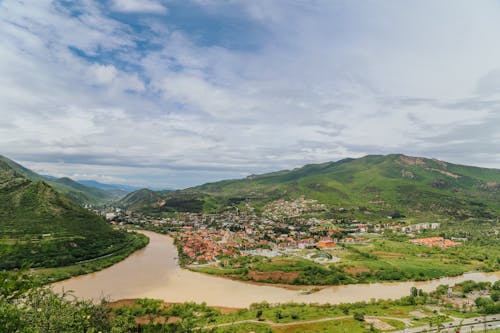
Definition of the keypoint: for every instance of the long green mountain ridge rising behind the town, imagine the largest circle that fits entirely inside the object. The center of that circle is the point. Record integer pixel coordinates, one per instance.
(371, 187)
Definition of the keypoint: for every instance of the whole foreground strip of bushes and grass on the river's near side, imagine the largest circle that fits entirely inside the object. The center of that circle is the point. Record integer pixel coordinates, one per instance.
(25, 307)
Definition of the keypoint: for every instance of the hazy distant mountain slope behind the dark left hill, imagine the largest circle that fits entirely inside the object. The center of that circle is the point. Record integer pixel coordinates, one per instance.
(78, 192)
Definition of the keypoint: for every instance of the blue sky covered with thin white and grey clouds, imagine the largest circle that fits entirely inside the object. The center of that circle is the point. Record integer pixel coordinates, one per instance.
(166, 93)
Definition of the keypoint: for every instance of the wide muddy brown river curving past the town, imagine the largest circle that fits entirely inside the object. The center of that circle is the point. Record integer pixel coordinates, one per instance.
(153, 272)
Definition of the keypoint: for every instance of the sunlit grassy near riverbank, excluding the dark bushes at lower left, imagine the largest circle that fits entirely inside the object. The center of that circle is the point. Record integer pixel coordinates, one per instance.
(418, 312)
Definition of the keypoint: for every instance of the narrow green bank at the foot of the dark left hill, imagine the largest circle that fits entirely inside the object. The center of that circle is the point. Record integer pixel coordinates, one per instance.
(51, 275)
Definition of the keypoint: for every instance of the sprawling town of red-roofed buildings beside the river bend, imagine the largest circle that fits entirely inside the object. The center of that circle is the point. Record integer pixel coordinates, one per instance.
(206, 238)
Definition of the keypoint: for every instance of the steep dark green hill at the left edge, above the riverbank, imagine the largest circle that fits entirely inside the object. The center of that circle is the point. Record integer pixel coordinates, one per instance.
(42, 227)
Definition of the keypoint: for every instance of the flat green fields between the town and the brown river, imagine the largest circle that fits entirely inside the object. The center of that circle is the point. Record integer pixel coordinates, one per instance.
(377, 260)
